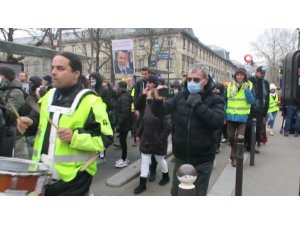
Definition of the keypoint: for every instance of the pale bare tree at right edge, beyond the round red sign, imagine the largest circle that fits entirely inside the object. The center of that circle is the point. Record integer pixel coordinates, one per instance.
(272, 46)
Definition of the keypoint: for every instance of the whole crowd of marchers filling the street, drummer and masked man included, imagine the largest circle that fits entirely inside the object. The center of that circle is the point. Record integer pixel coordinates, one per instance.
(79, 117)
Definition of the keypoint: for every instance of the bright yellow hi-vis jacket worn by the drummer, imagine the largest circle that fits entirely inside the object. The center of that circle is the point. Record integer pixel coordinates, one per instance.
(64, 159)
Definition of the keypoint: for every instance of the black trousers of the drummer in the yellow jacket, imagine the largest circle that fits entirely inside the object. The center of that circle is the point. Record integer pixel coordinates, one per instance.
(79, 186)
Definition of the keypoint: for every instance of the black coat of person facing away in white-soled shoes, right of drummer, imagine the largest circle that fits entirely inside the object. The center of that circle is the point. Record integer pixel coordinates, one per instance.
(123, 112)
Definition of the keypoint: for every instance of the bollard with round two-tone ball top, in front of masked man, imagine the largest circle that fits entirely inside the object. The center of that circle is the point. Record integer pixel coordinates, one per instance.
(187, 175)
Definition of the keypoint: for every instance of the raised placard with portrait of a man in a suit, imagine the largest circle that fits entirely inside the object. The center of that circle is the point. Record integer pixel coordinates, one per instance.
(123, 59)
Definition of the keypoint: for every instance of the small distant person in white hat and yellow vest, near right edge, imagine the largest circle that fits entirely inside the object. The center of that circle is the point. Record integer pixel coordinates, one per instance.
(273, 108)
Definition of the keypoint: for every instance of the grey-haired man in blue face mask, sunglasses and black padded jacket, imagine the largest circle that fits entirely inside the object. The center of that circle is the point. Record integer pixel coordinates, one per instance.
(196, 114)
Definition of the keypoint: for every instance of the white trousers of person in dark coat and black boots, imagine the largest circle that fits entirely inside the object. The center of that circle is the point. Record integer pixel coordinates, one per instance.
(146, 160)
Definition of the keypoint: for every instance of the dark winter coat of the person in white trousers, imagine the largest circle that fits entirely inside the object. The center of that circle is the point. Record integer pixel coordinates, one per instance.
(153, 132)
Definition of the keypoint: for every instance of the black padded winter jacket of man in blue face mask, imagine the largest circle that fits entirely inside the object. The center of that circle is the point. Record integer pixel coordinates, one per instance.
(193, 129)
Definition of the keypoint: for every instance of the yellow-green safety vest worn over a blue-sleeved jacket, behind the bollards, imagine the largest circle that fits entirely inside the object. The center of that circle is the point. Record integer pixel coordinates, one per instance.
(236, 100)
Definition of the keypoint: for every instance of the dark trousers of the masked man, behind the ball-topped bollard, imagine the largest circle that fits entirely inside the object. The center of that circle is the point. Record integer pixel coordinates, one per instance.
(201, 184)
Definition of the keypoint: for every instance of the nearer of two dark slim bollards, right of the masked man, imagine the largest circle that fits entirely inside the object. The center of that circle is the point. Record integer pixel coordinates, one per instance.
(239, 168)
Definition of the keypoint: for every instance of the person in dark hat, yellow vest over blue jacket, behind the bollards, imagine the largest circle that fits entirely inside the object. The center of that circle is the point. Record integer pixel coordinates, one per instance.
(238, 102)
